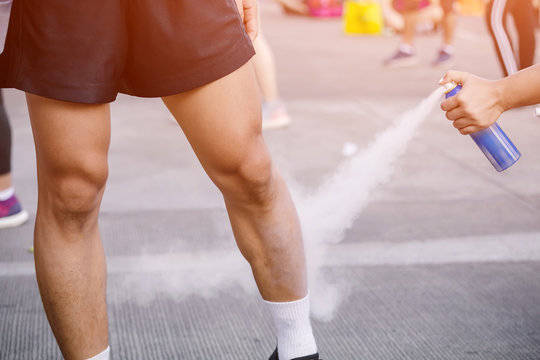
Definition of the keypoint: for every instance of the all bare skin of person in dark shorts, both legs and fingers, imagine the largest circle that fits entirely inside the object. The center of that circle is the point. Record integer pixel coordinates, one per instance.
(222, 121)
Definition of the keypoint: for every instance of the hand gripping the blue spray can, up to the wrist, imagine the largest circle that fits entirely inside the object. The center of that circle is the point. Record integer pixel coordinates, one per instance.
(476, 107)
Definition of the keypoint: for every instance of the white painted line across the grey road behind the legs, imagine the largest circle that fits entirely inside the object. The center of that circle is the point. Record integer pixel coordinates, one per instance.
(475, 249)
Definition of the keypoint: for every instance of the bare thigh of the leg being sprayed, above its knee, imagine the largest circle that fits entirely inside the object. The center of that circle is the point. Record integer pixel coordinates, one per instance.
(222, 120)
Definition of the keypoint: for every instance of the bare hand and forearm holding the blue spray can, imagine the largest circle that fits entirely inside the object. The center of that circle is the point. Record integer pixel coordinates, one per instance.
(481, 102)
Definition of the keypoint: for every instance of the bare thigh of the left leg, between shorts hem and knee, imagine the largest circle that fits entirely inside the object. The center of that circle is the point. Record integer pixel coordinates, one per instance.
(70, 138)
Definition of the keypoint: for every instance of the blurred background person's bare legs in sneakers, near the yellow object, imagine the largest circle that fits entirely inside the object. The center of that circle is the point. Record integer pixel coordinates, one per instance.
(413, 13)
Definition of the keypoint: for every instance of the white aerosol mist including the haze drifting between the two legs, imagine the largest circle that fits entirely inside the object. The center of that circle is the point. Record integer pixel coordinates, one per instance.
(325, 215)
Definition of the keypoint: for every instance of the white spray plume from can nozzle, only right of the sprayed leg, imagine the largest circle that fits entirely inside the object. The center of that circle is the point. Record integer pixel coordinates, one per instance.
(332, 209)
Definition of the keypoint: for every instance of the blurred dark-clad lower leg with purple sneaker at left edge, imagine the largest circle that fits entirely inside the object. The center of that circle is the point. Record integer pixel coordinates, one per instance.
(11, 212)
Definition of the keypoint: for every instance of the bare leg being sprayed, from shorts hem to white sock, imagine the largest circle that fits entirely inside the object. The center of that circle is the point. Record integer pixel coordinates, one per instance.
(222, 121)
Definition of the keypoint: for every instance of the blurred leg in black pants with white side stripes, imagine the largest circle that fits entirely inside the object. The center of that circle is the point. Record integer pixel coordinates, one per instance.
(523, 16)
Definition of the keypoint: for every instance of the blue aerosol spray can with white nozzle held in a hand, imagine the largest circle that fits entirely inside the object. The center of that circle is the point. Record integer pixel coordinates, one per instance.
(493, 142)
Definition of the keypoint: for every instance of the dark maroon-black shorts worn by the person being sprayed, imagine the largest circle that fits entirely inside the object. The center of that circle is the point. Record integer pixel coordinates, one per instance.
(87, 51)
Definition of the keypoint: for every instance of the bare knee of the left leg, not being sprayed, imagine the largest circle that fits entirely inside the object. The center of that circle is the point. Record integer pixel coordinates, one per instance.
(73, 193)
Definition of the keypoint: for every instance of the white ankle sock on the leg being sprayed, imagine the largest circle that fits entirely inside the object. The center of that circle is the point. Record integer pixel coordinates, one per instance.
(294, 333)
